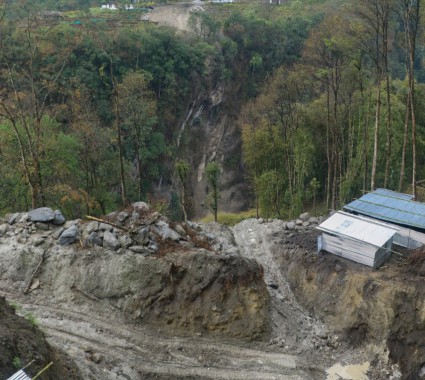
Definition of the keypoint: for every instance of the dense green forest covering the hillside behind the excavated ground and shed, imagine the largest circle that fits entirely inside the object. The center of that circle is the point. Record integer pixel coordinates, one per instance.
(327, 95)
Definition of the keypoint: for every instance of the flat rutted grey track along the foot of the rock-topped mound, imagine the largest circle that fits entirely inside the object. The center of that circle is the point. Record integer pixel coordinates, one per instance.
(106, 346)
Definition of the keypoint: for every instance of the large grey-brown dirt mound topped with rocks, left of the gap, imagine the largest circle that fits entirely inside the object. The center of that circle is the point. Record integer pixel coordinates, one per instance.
(150, 269)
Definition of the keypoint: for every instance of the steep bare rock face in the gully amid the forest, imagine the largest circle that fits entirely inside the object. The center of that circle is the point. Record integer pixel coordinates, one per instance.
(208, 133)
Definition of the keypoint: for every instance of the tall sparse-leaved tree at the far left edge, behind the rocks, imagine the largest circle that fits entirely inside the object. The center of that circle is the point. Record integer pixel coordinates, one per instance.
(31, 64)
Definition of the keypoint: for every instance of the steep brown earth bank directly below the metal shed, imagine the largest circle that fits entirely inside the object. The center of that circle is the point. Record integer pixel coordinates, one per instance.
(385, 308)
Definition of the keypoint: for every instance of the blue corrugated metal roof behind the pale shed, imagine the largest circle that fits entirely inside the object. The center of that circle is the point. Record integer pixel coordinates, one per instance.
(390, 206)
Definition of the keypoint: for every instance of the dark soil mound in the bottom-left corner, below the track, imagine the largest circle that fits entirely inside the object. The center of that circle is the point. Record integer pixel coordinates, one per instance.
(22, 342)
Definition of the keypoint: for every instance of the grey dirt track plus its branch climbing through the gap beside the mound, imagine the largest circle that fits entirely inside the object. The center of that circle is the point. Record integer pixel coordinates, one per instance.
(105, 345)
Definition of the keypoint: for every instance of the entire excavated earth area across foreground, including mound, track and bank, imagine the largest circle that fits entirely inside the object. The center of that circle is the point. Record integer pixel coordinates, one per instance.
(195, 301)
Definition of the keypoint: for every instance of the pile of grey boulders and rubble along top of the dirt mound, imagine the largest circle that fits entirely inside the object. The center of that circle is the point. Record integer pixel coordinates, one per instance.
(138, 229)
